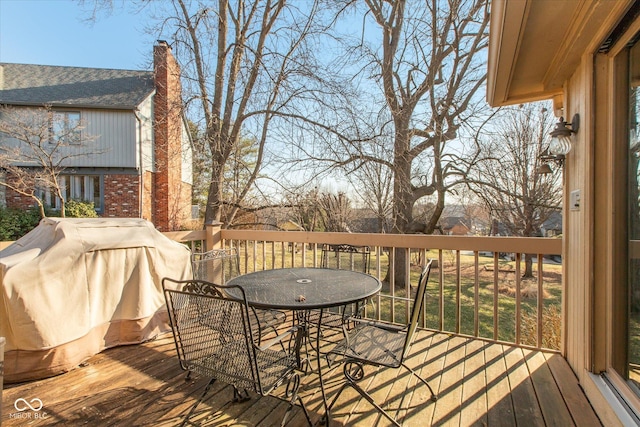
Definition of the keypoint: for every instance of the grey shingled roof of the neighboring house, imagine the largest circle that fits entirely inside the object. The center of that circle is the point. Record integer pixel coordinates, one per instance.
(25, 84)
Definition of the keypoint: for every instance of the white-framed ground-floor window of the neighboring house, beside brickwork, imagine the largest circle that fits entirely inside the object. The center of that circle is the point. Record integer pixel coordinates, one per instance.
(85, 188)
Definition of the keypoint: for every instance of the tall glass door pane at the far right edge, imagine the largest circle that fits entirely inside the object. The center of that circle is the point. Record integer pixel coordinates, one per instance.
(624, 363)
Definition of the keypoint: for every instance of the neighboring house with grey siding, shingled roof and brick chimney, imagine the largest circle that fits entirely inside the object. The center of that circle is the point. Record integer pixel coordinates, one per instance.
(144, 170)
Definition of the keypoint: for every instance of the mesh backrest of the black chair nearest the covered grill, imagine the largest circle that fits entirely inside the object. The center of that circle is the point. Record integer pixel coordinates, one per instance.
(216, 265)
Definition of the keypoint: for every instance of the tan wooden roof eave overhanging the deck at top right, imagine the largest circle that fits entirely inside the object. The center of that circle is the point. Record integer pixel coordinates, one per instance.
(536, 45)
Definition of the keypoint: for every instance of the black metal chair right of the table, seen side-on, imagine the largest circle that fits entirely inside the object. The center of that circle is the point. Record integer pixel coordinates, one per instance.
(379, 344)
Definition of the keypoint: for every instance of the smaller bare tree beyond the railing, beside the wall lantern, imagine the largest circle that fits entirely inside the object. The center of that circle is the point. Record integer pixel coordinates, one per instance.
(519, 197)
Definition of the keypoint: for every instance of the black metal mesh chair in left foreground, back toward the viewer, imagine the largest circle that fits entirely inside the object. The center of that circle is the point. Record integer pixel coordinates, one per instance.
(214, 338)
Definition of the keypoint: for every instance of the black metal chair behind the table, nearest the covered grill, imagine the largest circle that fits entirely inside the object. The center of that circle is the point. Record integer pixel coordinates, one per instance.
(220, 265)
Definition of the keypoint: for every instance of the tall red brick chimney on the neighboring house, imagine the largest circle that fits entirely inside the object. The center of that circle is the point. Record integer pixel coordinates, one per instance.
(171, 198)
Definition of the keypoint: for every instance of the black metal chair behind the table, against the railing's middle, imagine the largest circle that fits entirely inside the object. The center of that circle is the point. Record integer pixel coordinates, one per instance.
(343, 257)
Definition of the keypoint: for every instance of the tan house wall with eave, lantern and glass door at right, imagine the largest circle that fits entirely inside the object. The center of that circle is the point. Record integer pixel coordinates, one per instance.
(585, 56)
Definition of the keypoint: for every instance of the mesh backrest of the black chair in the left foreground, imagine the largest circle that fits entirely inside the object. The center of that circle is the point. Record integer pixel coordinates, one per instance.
(212, 333)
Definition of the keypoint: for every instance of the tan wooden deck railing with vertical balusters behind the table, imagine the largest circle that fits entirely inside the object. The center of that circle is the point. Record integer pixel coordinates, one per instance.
(474, 291)
